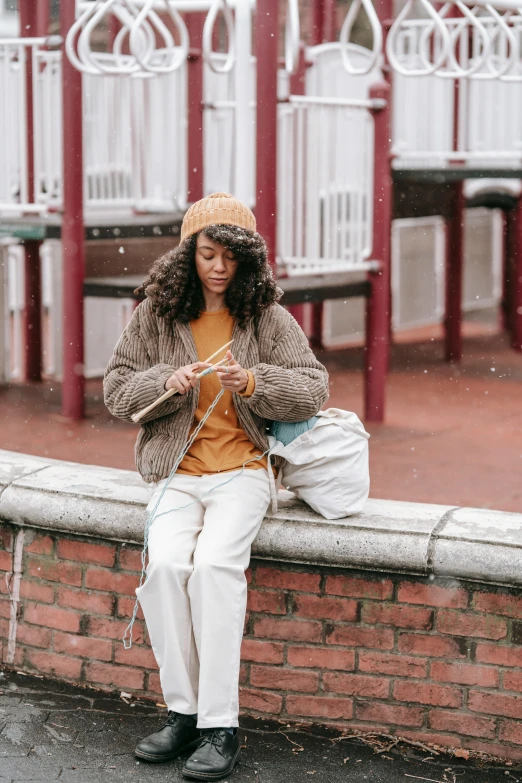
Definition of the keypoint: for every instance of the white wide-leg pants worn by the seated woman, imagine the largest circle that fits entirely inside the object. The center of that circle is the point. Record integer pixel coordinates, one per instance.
(194, 597)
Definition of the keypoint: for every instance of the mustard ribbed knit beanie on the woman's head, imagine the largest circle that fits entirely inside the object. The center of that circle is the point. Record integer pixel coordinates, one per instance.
(218, 208)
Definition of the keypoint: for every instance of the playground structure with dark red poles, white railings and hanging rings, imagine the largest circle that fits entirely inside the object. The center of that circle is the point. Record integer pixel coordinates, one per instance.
(121, 141)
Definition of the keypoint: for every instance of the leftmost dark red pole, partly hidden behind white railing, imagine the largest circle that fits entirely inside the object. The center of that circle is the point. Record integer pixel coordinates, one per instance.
(32, 285)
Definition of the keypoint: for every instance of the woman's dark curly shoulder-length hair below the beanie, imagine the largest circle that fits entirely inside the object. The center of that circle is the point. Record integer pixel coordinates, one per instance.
(175, 289)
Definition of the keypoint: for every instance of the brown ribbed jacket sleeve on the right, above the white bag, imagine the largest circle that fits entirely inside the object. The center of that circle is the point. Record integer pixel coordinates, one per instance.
(293, 384)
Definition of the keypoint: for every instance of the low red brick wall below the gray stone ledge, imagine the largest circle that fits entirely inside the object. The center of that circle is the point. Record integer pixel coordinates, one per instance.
(429, 660)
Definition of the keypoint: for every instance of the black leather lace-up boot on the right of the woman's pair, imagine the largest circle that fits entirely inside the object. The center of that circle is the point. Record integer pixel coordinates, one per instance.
(215, 757)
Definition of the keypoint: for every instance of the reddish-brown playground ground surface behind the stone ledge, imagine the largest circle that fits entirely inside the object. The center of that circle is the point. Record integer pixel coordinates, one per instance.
(452, 433)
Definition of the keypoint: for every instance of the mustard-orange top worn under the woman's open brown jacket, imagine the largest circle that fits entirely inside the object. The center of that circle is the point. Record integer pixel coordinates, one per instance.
(222, 444)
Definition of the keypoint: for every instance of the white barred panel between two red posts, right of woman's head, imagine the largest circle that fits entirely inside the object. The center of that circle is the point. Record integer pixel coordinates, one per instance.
(325, 190)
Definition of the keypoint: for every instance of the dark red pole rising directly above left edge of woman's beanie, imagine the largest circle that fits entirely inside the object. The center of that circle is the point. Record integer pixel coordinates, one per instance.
(195, 22)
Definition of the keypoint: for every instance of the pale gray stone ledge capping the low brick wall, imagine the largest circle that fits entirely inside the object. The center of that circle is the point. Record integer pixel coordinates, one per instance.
(411, 538)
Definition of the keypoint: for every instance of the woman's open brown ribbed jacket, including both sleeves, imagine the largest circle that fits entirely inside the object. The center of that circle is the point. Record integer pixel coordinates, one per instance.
(291, 385)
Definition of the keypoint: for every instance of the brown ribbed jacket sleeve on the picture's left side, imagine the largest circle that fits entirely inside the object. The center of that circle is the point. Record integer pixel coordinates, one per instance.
(131, 382)
